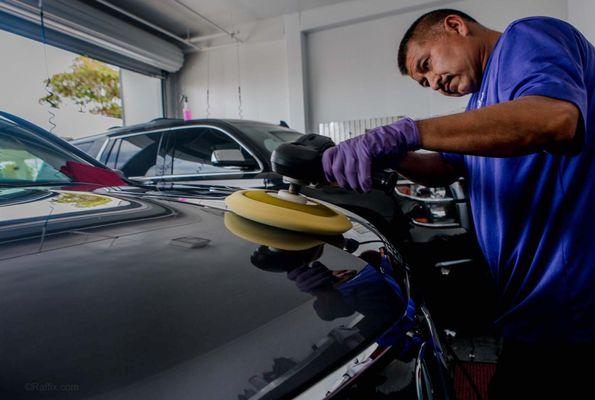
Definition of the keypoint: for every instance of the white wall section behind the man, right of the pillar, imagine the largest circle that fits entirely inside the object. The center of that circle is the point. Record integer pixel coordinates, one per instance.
(352, 70)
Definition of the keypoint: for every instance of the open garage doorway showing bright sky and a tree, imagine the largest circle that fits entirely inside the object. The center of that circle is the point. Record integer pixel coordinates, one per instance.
(83, 96)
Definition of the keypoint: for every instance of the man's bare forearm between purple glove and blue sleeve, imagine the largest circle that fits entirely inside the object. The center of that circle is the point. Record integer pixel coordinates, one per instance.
(514, 128)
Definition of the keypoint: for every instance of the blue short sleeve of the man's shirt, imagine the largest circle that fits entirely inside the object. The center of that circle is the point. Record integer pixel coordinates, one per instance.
(543, 57)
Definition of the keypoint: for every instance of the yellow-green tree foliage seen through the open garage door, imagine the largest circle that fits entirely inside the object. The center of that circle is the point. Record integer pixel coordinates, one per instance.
(91, 84)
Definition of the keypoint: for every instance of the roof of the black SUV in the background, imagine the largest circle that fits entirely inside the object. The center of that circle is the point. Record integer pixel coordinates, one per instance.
(164, 123)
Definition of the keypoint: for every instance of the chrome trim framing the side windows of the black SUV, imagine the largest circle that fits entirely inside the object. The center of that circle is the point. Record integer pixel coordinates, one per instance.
(168, 131)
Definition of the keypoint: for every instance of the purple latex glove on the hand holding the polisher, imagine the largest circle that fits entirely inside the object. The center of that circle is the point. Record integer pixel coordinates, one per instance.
(350, 162)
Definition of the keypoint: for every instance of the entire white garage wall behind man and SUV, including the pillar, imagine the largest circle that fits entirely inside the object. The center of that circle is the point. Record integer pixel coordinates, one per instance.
(349, 62)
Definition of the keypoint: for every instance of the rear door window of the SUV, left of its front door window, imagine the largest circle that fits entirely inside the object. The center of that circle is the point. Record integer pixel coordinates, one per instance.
(135, 155)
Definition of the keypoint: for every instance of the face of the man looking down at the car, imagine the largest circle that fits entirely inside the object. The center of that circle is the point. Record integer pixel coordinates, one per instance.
(447, 63)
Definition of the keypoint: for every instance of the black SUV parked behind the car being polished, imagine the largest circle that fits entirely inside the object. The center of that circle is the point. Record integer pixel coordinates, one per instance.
(431, 225)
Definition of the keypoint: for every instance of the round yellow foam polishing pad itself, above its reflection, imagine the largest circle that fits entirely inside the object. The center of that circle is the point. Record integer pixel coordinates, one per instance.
(265, 207)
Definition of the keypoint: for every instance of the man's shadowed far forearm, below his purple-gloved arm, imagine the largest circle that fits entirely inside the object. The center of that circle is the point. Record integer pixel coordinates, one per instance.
(428, 169)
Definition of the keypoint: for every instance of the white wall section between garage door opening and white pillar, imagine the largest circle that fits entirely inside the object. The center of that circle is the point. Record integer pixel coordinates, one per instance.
(263, 72)
